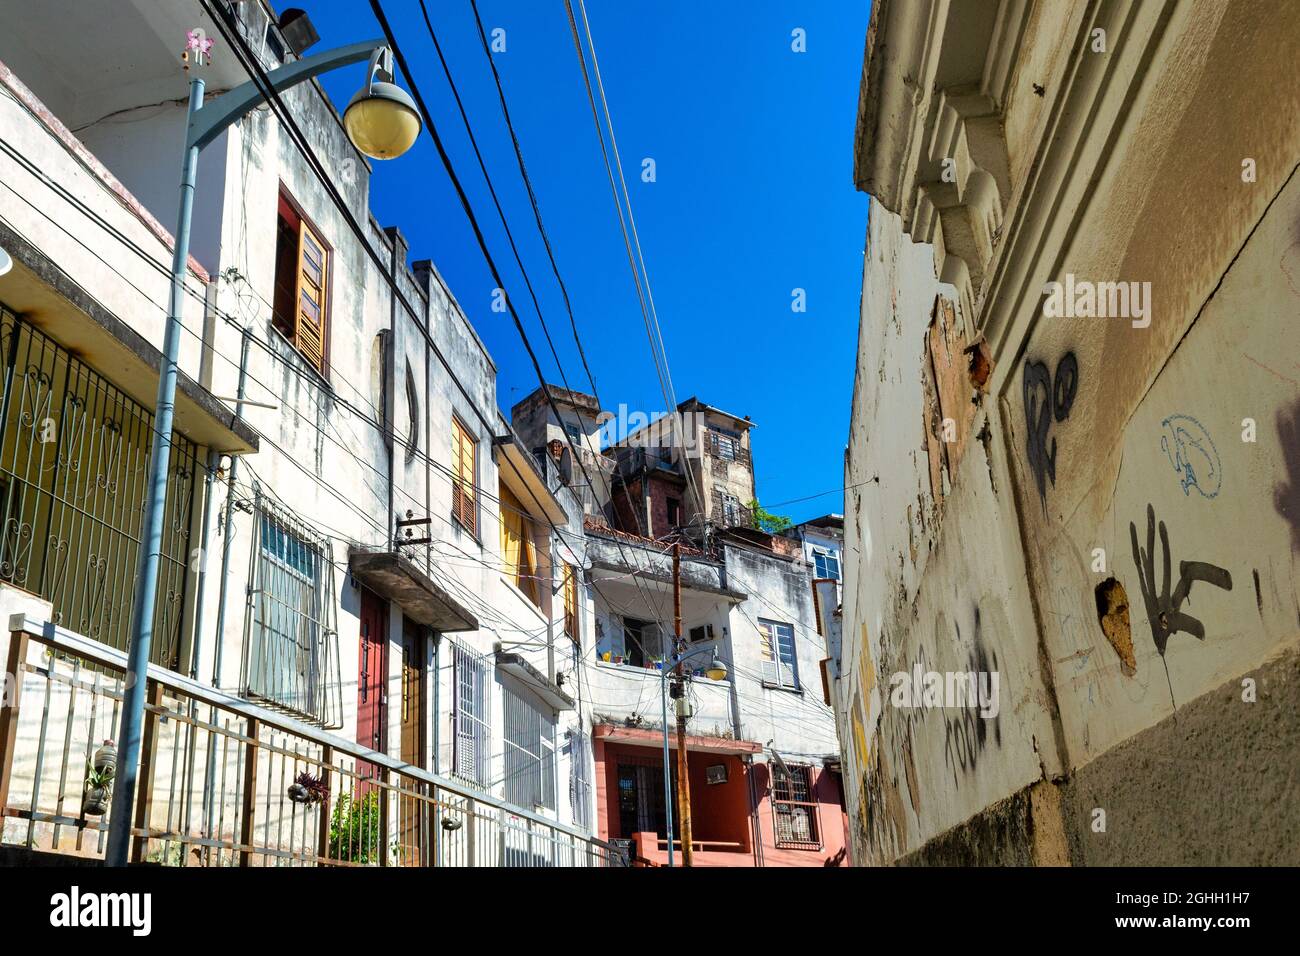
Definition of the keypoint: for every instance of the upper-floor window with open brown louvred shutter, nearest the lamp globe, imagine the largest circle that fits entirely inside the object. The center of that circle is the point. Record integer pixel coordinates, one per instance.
(302, 285)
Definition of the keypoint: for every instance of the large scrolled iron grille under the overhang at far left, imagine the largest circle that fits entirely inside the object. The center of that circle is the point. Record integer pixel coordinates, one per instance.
(75, 460)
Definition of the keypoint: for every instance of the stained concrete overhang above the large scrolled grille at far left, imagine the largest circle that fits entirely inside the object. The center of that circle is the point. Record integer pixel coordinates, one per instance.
(45, 296)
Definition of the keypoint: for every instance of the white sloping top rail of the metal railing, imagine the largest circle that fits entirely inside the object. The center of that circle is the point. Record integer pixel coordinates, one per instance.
(53, 635)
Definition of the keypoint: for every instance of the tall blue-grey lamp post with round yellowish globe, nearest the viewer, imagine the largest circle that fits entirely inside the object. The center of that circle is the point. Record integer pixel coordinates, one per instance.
(383, 123)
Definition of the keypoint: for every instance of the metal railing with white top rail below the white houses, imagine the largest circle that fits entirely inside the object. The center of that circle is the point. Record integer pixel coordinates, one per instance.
(218, 780)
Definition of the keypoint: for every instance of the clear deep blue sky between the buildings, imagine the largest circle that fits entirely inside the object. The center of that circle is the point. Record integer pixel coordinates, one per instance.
(755, 198)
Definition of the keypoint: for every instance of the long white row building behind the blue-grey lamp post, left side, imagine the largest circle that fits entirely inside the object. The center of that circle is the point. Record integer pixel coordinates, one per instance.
(366, 578)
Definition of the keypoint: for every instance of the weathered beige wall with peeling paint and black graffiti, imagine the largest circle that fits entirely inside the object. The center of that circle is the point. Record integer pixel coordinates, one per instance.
(1120, 504)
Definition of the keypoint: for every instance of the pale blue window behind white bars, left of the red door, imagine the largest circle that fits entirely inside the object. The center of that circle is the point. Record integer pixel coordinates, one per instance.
(292, 648)
